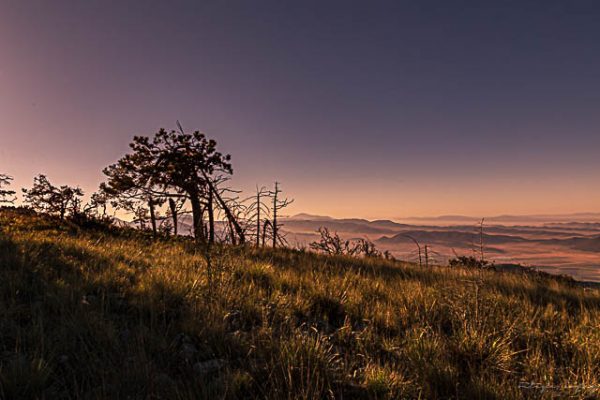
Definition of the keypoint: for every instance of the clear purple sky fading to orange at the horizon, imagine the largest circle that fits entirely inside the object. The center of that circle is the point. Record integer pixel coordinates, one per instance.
(374, 109)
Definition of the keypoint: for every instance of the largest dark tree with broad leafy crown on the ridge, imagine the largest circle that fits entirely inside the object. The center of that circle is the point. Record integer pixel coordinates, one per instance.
(177, 164)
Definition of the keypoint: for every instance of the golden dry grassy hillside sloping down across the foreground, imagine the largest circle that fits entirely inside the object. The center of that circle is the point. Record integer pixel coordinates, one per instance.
(92, 314)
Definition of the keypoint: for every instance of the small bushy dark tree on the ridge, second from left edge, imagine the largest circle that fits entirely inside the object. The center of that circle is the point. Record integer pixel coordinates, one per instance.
(45, 197)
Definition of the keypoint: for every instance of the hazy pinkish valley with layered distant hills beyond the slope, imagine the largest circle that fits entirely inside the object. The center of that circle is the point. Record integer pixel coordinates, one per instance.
(563, 244)
